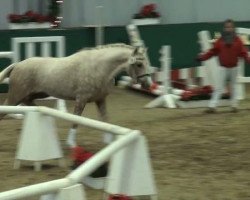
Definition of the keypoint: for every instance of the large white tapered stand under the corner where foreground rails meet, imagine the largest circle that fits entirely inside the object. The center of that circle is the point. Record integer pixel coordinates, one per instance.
(130, 171)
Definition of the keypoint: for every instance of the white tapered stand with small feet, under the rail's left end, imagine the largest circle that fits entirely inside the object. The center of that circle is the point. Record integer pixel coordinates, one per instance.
(38, 140)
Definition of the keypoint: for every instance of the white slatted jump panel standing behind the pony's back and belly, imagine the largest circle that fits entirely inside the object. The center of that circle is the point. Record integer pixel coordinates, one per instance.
(30, 48)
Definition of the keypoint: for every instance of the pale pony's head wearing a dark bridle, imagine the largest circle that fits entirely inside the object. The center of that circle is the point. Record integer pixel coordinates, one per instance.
(139, 67)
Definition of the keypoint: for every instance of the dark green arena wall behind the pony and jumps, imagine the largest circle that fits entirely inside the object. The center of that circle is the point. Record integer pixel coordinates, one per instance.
(182, 38)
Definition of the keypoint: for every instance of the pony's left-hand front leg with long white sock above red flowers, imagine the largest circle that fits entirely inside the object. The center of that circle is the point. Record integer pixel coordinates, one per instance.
(79, 107)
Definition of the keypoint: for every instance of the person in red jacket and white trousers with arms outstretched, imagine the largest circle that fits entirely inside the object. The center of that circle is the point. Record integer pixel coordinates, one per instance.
(229, 48)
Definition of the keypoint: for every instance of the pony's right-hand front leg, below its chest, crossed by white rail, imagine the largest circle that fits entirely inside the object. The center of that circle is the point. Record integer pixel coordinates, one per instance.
(101, 106)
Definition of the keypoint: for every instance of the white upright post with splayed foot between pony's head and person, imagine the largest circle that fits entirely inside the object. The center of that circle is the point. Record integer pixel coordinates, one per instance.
(166, 100)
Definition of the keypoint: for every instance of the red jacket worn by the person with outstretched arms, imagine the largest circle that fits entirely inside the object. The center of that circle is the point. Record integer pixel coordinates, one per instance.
(228, 54)
